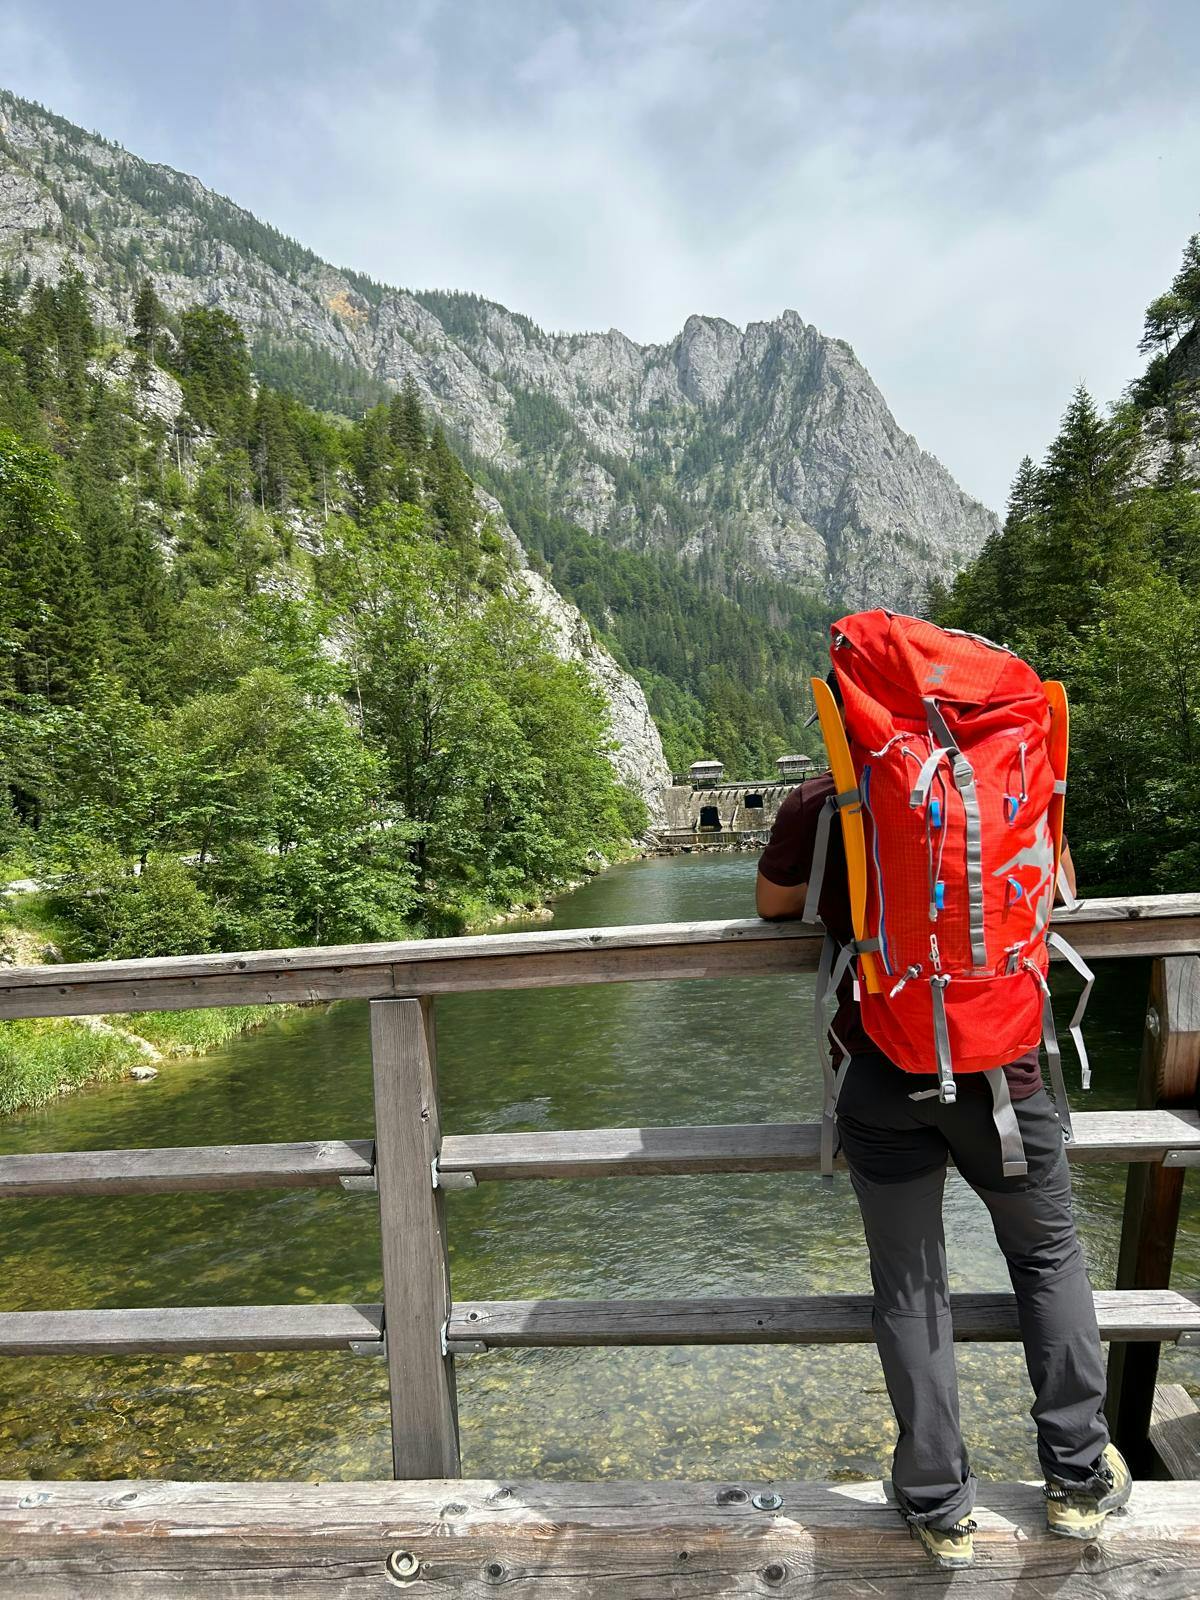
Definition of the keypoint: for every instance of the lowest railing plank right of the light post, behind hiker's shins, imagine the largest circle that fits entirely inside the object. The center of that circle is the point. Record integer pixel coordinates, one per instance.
(802, 1319)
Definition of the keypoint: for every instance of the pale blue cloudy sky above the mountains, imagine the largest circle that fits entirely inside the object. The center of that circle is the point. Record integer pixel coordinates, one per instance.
(980, 198)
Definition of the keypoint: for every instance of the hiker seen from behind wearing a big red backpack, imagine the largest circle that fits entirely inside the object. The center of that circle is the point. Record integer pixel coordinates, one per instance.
(934, 854)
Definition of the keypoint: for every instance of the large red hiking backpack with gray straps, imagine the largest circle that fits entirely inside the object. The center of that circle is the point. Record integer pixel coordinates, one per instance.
(950, 761)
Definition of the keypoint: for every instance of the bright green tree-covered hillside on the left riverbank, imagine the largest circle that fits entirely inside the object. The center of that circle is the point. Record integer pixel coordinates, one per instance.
(266, 674)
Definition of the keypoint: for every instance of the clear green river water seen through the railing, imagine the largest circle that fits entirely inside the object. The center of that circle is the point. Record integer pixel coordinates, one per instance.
(561, 1058)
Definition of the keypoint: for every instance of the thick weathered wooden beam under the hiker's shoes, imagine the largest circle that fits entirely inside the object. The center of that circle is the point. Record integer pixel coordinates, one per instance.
(564, 1542)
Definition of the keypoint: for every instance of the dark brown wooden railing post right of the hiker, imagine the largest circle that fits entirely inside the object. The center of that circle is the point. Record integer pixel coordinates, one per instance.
(1169, 1076)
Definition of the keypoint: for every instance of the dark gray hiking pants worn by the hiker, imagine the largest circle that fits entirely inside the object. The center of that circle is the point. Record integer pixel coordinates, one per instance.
(897, 1151)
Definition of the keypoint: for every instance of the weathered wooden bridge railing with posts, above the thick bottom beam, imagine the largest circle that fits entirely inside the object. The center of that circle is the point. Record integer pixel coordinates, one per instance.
(418, 1327)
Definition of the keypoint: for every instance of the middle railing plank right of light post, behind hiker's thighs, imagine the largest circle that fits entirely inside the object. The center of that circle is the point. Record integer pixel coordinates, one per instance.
(759, 1148)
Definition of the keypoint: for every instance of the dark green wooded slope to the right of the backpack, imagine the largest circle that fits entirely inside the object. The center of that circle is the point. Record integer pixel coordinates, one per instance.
(1097, 580)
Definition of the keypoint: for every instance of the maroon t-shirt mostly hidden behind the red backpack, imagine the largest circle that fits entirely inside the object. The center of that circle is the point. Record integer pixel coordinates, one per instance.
(788, 860)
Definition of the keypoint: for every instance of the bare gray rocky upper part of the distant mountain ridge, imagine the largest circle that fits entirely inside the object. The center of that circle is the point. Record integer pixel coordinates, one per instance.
(767, 452)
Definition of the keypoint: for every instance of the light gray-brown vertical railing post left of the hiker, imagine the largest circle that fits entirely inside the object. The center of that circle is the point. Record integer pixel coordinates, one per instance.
(414, 1236)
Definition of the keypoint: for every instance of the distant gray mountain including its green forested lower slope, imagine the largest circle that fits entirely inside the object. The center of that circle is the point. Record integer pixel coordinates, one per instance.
(710, 503)
